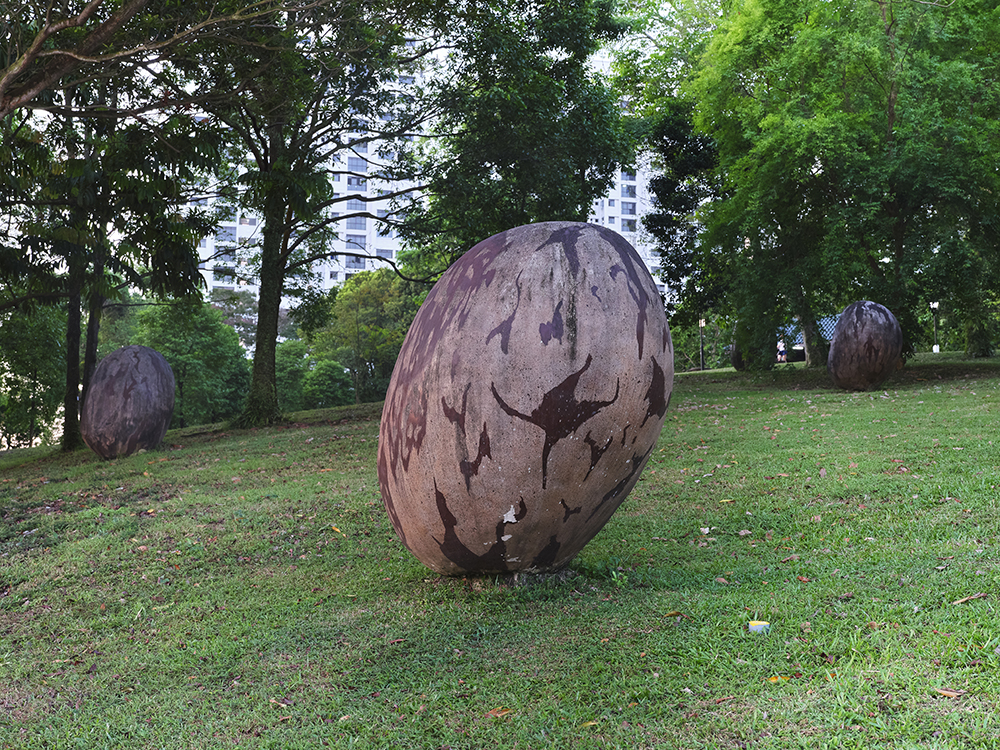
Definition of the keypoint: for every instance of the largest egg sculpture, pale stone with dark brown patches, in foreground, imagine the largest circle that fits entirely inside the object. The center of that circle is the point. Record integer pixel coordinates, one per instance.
(527, 397)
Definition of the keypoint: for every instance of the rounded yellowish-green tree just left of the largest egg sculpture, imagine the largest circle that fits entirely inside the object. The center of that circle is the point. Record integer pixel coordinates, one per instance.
(371, 315)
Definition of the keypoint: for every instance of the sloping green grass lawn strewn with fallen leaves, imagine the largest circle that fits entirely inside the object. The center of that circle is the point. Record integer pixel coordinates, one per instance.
(245, 588)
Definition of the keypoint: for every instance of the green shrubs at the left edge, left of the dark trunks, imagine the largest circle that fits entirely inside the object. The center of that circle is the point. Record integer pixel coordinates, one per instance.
(32, 374)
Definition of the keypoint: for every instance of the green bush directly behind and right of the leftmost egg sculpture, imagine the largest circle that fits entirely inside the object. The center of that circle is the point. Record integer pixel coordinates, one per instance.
(211, 372)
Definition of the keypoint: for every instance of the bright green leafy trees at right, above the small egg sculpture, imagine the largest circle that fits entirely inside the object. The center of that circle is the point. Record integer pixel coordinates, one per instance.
(814, 152)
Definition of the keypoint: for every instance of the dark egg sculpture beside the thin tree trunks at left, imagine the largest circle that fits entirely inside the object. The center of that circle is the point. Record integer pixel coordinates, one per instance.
(129, 403)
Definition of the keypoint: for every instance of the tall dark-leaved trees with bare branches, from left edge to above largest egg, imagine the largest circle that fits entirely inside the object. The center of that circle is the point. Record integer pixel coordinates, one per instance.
(115, 114)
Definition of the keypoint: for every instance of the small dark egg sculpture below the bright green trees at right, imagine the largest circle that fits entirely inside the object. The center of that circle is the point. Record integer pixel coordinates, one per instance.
(865, 346)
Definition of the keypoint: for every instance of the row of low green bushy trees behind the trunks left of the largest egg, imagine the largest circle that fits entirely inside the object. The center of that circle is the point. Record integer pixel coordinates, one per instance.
(364, 330)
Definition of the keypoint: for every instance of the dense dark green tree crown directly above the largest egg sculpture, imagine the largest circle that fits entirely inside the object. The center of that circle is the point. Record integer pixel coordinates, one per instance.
(529, 132)
